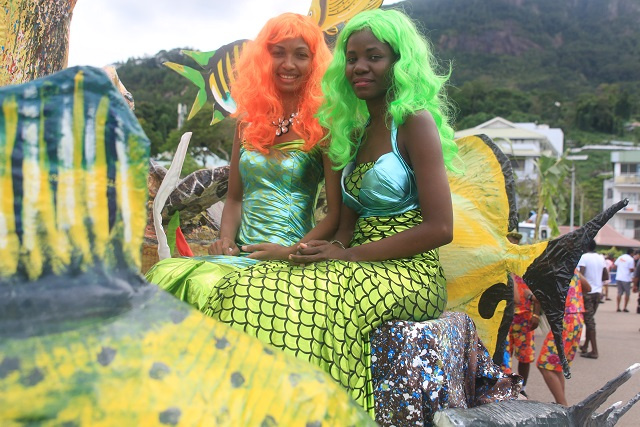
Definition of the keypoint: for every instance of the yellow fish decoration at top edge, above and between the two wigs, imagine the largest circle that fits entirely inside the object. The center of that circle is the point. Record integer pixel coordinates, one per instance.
(330, 14)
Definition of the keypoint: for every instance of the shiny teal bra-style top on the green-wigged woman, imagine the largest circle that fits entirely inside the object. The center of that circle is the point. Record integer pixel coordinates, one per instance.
(387, 188)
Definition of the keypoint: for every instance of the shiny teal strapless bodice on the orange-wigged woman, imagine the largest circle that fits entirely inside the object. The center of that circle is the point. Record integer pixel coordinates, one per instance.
(279, 193)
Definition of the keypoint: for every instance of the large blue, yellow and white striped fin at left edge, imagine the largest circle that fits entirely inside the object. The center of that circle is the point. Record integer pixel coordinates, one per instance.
(72, 176)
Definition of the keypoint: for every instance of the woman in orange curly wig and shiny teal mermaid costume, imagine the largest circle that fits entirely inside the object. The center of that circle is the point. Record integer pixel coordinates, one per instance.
(277, 161)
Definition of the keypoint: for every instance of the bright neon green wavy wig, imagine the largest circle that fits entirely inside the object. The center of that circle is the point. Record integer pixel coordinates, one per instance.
(415, 86)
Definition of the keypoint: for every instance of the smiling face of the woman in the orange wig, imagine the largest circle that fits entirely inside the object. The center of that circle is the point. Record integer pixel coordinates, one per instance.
(291, 61)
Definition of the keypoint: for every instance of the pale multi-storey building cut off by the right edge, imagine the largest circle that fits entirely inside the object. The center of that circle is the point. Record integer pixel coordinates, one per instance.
(625, 184)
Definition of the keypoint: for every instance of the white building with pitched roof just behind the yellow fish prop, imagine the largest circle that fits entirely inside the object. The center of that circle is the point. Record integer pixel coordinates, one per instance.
(523, 143)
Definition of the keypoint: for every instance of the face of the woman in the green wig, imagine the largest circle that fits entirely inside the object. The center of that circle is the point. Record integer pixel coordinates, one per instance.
(369, 65)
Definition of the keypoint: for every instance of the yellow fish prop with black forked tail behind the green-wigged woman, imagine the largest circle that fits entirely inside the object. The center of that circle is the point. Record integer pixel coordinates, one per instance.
(477, 261)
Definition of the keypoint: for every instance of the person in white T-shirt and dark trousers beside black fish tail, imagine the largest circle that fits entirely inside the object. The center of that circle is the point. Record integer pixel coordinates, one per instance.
(593, 267)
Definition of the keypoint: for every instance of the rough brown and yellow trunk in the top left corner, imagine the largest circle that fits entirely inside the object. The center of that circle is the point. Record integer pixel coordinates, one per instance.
(34, 38)
